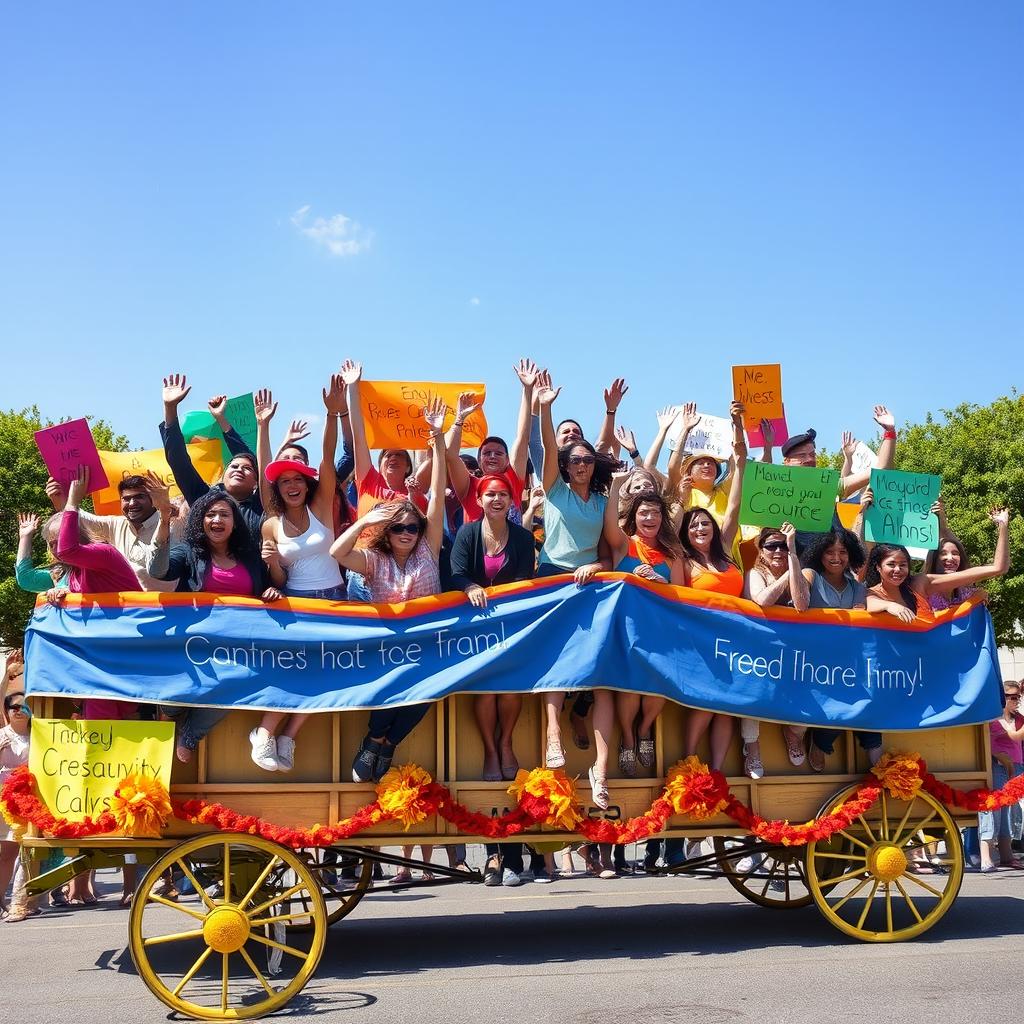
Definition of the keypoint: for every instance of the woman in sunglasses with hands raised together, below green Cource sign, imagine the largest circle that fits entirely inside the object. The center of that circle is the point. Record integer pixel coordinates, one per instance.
(776, 579)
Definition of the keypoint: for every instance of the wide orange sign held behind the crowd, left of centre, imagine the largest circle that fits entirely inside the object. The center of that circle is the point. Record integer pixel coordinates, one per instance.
(393, 413)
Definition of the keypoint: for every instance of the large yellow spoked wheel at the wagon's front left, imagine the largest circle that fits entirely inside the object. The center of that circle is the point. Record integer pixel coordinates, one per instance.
(224, 952)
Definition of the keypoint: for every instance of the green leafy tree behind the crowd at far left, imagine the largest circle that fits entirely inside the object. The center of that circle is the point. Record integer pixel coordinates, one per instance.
(23, 483)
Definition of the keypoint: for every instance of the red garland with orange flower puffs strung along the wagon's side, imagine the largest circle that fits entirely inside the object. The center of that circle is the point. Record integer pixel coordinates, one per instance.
(409, 795)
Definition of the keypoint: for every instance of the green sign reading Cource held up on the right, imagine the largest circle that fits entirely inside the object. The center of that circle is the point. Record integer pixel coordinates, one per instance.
(801, 495)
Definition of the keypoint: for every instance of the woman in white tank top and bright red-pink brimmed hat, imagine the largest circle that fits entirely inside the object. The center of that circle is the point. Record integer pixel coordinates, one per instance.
(297, 552)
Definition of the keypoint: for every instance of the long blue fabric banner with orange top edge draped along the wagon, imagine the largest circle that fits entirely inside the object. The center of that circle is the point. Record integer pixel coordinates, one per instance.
(723, 655)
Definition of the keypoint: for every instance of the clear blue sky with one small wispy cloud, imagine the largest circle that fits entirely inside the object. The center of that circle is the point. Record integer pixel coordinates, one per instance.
(653, 191)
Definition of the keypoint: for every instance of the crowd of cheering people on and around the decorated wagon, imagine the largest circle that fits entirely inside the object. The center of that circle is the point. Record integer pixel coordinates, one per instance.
(340, 527)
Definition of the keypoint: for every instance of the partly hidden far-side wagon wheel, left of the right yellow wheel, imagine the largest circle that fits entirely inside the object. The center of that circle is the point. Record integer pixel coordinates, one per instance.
(769, 876)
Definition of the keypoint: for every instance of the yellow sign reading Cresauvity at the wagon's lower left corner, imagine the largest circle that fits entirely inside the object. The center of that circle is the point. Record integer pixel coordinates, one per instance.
(79, 764)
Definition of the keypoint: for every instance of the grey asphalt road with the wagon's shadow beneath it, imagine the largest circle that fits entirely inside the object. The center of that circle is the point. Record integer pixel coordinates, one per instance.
(578, 952)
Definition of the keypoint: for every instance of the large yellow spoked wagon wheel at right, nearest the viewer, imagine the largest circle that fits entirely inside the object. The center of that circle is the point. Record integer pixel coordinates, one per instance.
(872, 885)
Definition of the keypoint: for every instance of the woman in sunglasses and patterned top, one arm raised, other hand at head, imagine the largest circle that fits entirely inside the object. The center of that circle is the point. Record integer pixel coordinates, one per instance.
(400, 565)
